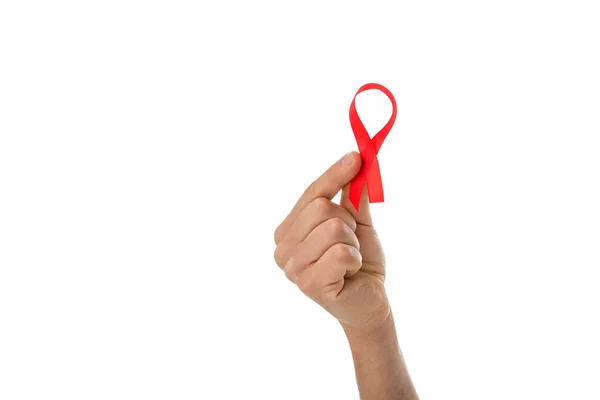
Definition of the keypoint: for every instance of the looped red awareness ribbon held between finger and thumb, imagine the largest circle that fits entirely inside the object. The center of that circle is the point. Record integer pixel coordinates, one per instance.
(368, 148)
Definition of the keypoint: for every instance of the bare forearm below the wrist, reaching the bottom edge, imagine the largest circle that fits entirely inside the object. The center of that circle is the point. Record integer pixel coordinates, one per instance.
(381, 373)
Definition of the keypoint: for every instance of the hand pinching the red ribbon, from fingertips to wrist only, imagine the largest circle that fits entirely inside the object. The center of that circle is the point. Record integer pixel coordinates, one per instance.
(332, 253)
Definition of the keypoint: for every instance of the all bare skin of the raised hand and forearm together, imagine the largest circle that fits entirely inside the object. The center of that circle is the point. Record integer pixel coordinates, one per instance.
(332, 253)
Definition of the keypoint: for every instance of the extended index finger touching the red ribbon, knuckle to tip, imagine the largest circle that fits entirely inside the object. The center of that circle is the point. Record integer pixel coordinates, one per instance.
(327, 185)
